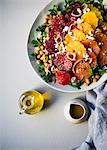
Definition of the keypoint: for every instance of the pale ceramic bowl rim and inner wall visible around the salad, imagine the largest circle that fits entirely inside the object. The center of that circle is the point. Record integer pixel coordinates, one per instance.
(39, 20)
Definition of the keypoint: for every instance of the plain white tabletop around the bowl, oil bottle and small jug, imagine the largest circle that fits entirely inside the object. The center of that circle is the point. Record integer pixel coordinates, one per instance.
(47, 130)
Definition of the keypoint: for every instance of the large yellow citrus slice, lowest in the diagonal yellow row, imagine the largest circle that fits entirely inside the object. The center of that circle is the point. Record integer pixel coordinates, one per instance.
(76, 47)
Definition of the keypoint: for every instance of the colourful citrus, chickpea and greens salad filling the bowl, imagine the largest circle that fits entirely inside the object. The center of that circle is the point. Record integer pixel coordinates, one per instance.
(70, 47)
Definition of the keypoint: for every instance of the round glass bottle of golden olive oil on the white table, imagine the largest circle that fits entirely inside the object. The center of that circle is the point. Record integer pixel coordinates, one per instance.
(31, 102)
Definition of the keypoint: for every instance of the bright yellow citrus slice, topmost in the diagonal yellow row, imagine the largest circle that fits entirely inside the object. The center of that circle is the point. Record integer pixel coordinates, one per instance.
(91, 18)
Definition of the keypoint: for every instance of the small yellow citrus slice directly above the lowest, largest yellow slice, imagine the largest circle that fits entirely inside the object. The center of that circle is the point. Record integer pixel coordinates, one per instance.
(78, 34)
